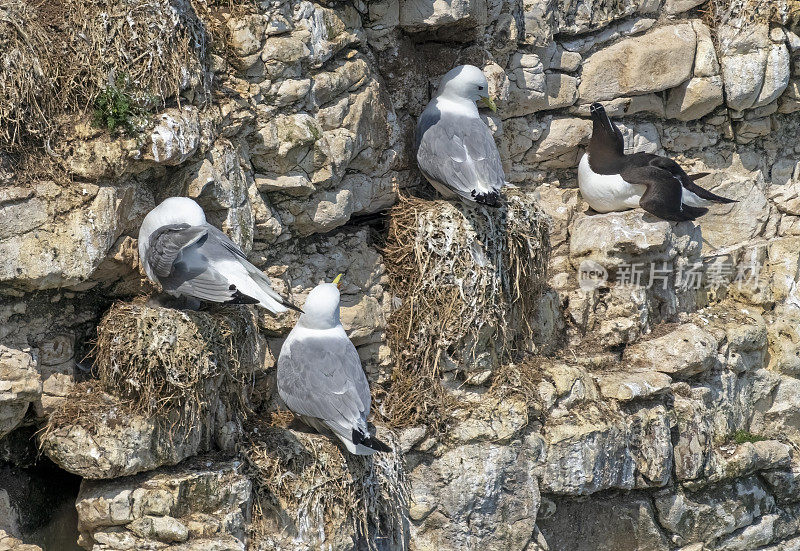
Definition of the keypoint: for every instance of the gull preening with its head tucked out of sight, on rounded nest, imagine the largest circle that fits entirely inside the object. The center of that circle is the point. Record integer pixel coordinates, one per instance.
(190, 258)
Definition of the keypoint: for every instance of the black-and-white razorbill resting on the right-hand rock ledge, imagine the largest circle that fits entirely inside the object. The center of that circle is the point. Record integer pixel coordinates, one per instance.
(611, 181)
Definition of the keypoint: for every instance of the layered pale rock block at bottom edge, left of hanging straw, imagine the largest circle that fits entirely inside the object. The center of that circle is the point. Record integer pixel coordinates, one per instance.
(205, 503)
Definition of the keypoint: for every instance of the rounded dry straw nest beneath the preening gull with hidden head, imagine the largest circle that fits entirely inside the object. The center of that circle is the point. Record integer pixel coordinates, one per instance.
(161, 359)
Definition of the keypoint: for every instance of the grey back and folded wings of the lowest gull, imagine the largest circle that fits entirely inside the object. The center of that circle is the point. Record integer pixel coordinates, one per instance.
(323, 378)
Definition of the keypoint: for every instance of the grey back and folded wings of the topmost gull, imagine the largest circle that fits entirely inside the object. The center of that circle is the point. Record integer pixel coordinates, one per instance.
(459, 152)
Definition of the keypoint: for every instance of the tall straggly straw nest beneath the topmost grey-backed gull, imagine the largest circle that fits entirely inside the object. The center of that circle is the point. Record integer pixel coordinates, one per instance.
(469, 280)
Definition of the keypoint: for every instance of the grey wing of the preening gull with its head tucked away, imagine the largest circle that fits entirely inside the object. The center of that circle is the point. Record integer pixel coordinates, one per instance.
(177, 257)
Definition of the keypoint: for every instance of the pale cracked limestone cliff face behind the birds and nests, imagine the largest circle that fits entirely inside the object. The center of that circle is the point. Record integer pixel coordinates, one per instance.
(648, 414)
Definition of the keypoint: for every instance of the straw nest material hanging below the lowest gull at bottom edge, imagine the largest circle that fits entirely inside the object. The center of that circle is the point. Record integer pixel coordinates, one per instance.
(308, 489)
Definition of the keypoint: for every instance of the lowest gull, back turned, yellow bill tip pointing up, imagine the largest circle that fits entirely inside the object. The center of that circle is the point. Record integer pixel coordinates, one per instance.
(320, 376)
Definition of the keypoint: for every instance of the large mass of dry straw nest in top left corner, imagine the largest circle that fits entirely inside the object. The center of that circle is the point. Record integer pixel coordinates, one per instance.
(57, 57)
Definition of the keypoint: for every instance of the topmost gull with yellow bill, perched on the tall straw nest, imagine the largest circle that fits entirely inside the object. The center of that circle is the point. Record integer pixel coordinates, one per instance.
(454, 147)
